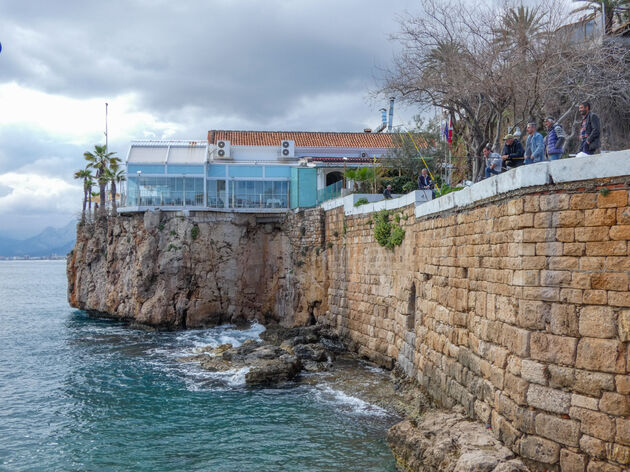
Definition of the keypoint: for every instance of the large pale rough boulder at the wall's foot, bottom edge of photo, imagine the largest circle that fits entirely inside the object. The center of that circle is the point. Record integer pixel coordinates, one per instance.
(448, 442)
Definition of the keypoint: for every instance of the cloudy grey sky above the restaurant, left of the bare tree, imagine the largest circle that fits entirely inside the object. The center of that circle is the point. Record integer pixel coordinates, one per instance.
(172, 70)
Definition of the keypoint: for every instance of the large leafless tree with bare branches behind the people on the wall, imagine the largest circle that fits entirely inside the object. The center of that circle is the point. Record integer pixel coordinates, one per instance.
(498, 67)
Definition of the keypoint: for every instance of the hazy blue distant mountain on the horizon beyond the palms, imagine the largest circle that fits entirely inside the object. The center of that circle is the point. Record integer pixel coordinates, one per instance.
(51, 241)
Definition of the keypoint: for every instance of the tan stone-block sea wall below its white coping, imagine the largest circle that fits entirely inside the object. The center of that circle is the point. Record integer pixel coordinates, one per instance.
(517, 308)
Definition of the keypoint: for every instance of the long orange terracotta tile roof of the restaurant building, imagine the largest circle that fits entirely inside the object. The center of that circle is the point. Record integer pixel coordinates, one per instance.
(303, 138)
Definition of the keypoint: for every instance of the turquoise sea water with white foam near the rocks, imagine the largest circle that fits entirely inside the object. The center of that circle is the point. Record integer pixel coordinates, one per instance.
(84, 394)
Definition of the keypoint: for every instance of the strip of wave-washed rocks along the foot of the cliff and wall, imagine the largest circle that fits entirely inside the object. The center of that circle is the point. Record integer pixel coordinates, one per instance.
(426, 440)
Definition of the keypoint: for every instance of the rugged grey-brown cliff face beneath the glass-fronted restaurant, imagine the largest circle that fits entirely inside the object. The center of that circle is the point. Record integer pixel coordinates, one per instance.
(168, 270)
